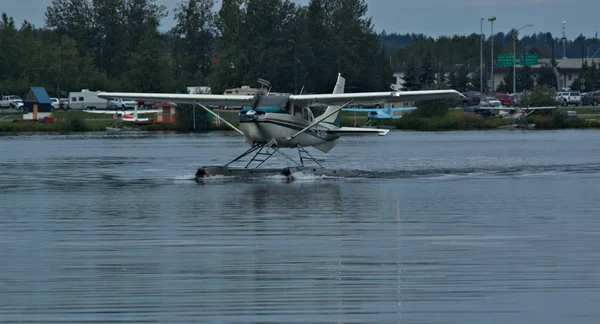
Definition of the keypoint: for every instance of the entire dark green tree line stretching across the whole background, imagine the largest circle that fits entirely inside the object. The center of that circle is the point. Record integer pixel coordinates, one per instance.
(118, 45)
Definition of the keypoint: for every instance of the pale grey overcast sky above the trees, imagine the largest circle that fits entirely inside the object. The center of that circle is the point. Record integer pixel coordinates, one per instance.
(430, 17)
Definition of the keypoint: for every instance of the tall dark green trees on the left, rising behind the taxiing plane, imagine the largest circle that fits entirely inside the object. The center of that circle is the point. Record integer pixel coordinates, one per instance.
(118, 45)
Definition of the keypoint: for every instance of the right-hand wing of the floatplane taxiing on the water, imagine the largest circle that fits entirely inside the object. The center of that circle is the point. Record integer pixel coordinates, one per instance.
(369, 97)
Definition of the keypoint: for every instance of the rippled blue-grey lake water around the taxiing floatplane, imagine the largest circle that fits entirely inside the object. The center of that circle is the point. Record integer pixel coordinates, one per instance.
(458, 227)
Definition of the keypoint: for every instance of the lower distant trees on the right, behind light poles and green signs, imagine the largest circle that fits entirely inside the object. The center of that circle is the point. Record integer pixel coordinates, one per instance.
(455, 62)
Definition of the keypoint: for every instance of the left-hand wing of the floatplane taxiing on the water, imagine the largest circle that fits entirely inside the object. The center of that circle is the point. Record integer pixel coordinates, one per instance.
(205, 99)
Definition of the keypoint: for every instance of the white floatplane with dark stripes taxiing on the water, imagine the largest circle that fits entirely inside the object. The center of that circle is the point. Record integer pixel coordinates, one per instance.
(271, 122)
